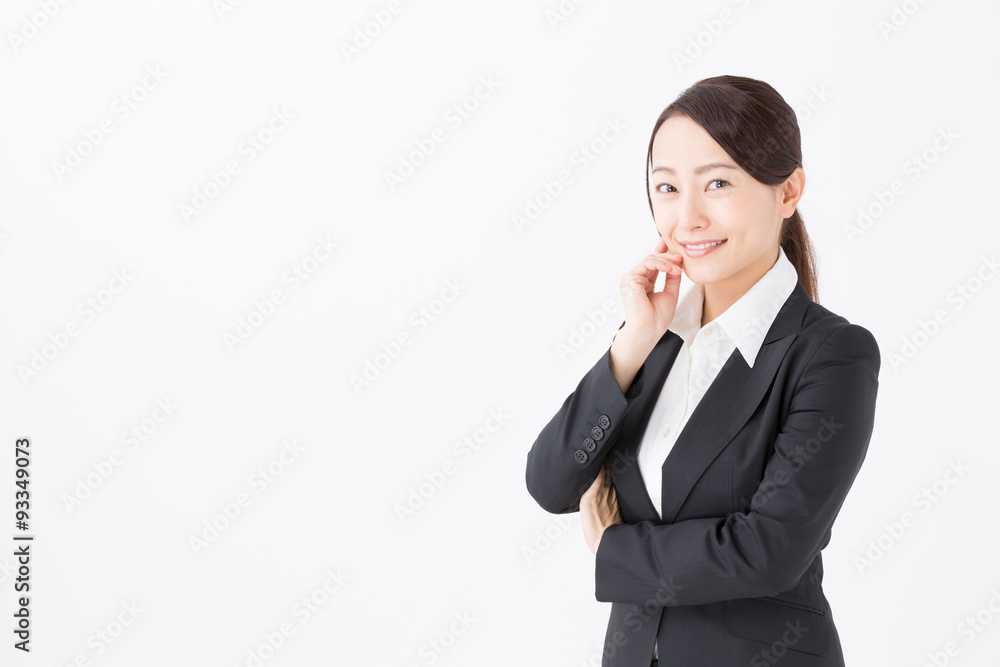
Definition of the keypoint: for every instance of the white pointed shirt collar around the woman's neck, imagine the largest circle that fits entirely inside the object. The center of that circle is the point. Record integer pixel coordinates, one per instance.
(747, 321)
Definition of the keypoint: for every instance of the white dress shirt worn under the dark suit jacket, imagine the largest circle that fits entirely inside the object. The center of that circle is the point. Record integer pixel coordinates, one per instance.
(704, 351)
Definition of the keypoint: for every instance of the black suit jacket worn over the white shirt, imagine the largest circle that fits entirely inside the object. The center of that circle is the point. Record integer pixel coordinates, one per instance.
(732, 574)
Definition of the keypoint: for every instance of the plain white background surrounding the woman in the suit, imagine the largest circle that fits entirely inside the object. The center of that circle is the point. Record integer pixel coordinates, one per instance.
(867, 103)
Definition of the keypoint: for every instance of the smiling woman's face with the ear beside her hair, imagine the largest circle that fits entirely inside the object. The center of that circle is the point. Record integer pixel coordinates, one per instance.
(693, 204)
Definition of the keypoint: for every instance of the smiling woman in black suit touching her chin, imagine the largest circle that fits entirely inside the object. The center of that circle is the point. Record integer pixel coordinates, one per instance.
(711, 447)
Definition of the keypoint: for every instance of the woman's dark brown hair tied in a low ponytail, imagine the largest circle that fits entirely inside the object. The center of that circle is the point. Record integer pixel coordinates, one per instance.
(758, 129)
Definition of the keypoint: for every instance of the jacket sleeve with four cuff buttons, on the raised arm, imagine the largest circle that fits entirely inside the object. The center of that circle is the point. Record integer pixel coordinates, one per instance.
(567, 455)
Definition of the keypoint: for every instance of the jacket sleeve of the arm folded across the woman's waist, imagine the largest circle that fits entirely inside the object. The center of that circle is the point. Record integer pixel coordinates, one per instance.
(766, 549)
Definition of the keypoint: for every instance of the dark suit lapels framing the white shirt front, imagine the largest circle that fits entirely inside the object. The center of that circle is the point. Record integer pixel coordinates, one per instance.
(724, 409)
